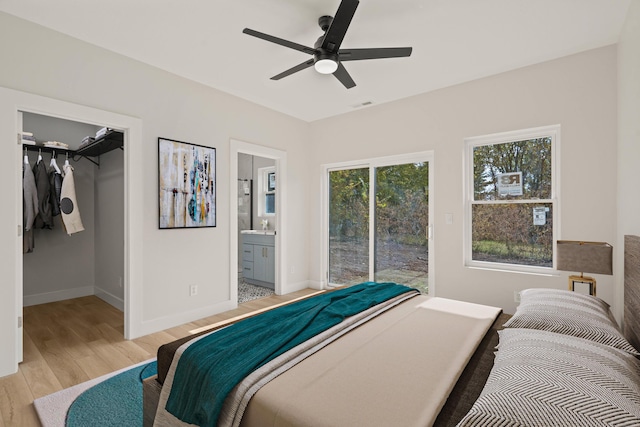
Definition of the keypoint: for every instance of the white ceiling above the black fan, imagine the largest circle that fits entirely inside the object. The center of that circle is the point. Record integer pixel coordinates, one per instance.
(453, 41)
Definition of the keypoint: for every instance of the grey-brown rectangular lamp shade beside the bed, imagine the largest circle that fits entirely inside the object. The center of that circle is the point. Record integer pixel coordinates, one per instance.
(585, 257)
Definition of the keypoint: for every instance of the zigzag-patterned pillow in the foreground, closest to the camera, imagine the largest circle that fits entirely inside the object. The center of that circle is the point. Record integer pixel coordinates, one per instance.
(542, 378)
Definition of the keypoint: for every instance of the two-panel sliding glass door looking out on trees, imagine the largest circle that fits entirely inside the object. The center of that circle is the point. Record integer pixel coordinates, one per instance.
(378, 222)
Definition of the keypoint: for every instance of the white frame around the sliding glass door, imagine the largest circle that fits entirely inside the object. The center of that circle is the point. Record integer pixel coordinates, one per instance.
(372, 163)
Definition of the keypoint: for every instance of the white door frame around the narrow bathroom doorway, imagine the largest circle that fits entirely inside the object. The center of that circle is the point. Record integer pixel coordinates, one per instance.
(280, 158)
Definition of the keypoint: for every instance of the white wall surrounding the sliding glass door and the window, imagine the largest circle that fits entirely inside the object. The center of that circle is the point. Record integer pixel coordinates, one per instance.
(578, 92)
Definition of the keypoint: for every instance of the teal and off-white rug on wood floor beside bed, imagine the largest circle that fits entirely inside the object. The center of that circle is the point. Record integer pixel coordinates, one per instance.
(112, 400)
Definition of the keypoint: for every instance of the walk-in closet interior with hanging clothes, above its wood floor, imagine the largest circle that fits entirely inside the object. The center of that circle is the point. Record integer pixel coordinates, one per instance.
(76, 250)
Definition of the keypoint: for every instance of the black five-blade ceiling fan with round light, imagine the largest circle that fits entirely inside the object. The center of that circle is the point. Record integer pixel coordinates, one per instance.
(327, 55)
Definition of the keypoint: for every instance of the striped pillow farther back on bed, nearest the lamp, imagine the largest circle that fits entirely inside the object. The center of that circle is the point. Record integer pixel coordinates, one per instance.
(569, 313)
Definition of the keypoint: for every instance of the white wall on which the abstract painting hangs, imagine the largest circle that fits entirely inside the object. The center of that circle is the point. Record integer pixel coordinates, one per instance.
(59, 67)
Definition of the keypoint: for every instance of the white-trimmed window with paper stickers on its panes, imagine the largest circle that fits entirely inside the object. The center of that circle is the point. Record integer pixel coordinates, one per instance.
(511, 199)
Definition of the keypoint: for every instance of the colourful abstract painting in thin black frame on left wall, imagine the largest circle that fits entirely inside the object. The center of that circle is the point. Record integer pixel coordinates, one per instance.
(187, 184)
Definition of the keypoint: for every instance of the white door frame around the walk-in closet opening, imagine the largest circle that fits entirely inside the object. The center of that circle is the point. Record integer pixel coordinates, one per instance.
(12, 104)
